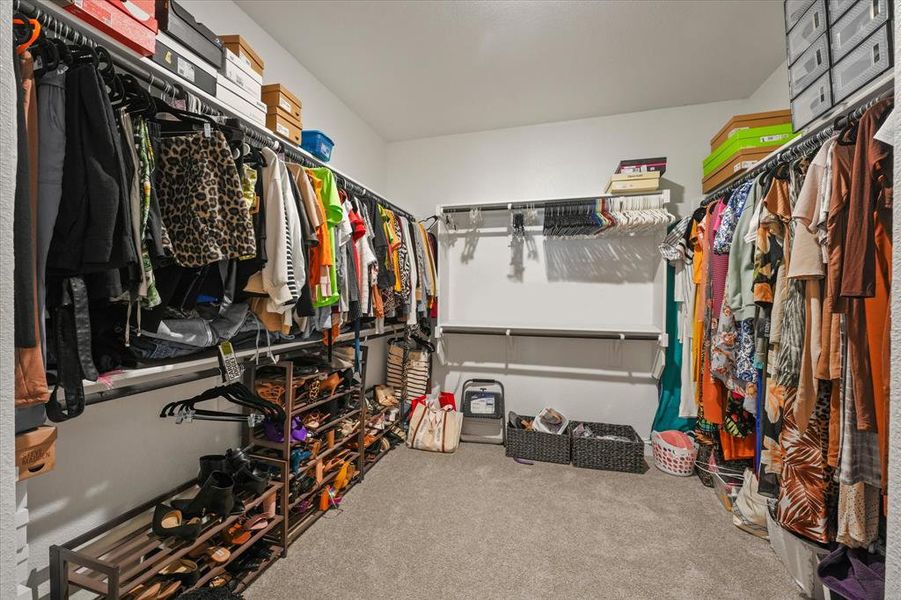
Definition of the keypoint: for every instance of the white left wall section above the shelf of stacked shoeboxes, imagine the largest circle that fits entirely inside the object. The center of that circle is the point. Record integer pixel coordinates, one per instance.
(359, 150)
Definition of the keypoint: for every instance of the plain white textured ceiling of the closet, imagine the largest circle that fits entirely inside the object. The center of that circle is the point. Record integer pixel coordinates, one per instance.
(420, 69)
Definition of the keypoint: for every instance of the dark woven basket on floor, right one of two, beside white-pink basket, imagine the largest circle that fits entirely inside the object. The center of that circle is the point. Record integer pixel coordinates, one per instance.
(609, 455)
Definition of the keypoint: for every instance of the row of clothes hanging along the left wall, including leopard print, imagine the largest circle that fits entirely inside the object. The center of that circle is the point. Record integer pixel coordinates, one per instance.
(162, 232)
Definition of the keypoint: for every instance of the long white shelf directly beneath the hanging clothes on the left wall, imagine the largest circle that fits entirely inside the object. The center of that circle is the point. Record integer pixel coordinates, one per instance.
(164, 374)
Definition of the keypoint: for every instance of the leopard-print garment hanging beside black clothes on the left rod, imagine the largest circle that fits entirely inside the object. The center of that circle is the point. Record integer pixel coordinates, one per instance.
(201, 200)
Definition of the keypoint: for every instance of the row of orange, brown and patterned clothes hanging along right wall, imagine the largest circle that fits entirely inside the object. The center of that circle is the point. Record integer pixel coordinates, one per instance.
(783, 287)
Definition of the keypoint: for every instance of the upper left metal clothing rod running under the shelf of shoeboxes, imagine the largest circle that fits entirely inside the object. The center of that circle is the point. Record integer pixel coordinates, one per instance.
(68, 28)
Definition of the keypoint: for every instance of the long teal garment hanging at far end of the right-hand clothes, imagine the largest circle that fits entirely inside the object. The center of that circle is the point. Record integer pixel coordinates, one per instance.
(670, 387)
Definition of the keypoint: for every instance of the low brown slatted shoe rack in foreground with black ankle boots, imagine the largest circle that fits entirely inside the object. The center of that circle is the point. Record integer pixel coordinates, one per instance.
(117, 557)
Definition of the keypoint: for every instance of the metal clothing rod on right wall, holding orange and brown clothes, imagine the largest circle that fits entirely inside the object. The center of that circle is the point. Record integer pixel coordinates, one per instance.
(806, 144)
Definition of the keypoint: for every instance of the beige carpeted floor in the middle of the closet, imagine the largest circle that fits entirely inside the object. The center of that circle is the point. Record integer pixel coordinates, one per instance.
(475, 524)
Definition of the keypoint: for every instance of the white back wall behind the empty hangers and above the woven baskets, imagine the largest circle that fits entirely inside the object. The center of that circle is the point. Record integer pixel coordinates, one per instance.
(590, 380)
